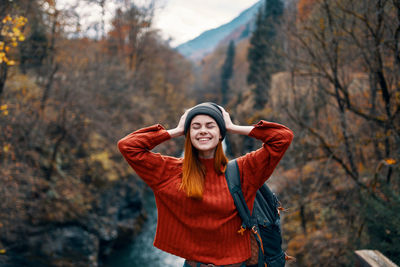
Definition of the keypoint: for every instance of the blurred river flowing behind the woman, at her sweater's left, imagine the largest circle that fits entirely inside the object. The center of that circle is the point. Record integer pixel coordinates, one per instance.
(142, 253)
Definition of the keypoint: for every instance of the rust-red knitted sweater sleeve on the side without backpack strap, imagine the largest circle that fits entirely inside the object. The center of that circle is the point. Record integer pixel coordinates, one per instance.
(153, 168)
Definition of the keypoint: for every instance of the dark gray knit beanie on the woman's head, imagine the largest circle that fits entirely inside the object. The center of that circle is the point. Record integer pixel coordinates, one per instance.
(210, 109)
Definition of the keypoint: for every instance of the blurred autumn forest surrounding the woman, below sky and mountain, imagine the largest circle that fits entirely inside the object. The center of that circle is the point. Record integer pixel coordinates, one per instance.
(329, 70)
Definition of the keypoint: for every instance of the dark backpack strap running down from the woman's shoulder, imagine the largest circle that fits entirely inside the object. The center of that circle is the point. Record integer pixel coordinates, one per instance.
(232, 176)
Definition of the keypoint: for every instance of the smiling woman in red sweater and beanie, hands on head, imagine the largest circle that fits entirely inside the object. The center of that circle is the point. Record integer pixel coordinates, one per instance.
(197, 219)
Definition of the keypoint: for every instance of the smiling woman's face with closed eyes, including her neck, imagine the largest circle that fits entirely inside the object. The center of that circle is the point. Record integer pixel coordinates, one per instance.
(205, 135)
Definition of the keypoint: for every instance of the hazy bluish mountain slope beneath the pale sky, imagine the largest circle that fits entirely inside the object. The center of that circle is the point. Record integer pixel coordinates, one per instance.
(237, 29)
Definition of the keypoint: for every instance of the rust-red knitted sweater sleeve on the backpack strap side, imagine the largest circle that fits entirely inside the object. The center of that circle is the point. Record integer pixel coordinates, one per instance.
(256, 167)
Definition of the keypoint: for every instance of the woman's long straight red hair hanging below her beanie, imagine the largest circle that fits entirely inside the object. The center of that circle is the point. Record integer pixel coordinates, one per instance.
(193, 170)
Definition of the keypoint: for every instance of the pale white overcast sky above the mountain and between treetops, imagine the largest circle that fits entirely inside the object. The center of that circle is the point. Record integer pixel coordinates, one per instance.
(177, 20)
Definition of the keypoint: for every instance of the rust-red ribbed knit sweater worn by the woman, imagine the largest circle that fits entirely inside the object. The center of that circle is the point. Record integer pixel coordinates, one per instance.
(203, 230)
